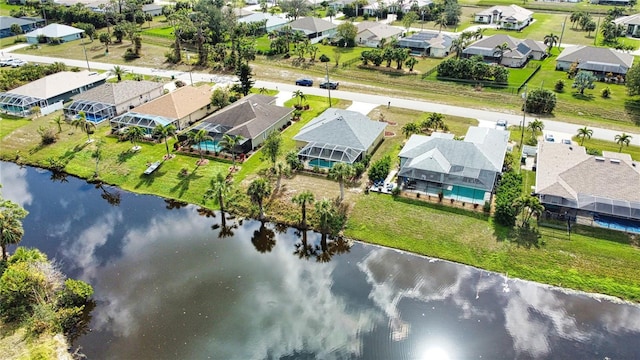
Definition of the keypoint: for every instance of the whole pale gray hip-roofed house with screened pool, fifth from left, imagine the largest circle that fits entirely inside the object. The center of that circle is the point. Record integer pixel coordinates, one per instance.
(338, 135)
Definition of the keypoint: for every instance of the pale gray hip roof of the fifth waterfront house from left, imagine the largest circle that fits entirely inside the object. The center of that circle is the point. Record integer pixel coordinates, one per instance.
(342, 127)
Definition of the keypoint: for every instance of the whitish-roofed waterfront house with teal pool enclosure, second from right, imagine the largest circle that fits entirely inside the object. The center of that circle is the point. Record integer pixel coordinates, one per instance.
(464, 170)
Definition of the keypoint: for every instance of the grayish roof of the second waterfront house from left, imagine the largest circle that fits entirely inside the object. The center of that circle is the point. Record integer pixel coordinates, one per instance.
(118, 93)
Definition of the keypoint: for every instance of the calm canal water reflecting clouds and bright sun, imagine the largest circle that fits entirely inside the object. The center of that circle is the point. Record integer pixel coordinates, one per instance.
(169, 287)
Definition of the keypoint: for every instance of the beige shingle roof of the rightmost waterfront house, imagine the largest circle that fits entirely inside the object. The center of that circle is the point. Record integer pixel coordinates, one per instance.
(568, 172)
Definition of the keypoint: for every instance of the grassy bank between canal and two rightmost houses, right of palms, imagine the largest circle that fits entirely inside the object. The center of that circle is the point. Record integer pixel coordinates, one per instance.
(604, 263)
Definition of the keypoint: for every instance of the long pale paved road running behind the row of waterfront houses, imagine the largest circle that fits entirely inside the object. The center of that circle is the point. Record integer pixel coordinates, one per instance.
(559, 129)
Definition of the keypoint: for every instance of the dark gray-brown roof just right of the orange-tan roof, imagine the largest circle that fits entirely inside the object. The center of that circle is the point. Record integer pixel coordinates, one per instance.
(249, 116)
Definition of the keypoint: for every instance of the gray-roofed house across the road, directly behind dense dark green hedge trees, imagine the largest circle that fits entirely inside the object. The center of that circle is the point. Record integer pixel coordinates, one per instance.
(516, 55)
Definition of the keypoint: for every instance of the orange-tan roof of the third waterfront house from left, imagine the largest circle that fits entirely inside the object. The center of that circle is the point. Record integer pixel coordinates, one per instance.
(179, 103)
